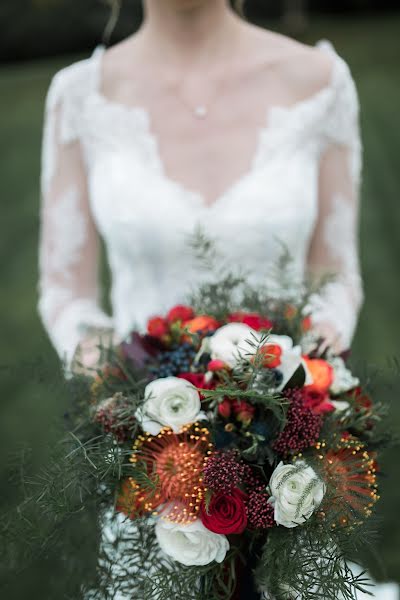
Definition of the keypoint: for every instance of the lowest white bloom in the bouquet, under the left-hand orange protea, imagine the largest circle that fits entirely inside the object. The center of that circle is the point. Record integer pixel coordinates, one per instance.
(192, 544)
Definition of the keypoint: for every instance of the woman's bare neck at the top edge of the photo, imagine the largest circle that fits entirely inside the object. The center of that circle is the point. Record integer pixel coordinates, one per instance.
(184, 32)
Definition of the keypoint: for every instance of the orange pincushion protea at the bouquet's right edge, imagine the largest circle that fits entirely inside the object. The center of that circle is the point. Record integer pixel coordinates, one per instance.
(350, 473)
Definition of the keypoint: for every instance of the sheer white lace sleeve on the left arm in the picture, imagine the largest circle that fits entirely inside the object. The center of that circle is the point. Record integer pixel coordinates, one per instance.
(68, 291)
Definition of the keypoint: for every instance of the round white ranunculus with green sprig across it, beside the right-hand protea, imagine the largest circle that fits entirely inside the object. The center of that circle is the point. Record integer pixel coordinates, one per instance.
(296, 491)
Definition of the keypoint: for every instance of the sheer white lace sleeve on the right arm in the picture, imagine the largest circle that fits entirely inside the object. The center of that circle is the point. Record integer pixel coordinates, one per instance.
(334, 247)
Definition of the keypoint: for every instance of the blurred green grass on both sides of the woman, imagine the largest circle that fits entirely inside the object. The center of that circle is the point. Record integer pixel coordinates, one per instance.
(30, 407)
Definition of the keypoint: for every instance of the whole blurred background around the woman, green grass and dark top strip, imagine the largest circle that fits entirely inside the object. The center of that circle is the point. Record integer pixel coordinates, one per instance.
(37, 38)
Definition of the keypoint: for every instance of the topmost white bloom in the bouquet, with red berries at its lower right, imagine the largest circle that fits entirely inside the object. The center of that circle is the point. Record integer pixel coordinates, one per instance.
(232, 340)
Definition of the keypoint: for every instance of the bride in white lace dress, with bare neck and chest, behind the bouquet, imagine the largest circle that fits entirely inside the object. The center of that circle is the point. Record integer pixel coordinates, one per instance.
(197, 118)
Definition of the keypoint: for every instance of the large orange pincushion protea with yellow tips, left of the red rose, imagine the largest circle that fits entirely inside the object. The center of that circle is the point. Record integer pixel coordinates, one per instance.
(172, 473)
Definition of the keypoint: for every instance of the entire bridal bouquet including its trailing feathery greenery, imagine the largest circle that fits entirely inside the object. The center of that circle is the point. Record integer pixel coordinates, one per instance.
(227, 444)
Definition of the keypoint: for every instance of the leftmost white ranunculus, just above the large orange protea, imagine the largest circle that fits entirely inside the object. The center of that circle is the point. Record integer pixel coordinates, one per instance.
(171, 402)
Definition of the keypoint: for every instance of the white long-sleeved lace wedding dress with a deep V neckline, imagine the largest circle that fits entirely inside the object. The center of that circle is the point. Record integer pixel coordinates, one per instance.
(103, 175)
